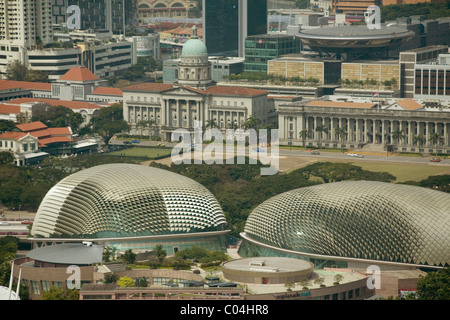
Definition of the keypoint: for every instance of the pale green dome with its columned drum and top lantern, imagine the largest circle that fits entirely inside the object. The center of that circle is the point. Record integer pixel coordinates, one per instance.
(194, 69)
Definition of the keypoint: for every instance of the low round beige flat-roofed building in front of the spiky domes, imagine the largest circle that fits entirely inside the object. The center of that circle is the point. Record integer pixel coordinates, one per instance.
(267, 270)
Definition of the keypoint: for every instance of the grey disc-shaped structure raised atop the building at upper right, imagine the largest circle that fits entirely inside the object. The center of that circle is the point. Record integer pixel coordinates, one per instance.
(351, 39)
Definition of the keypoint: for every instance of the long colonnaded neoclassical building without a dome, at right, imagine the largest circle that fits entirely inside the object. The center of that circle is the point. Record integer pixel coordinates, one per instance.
(366, 125)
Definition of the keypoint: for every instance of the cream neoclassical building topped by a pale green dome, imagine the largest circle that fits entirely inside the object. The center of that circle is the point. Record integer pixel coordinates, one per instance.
(194, 97)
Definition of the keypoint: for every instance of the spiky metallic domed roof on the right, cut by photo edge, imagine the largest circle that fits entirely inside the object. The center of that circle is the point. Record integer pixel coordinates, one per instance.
(355, 221)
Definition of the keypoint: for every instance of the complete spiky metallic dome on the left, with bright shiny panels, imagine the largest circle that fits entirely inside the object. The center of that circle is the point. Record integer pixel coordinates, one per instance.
(126, 200)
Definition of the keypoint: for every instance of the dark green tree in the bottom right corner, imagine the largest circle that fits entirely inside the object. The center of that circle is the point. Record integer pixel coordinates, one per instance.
(435, 285)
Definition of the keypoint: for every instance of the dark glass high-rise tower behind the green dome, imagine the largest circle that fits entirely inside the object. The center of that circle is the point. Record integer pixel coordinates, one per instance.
(226, 24)
